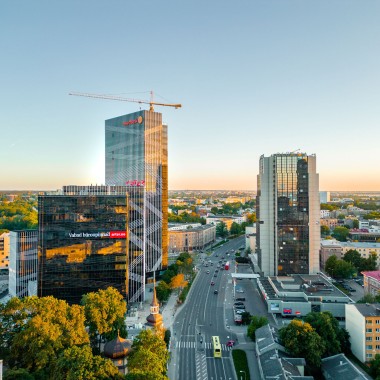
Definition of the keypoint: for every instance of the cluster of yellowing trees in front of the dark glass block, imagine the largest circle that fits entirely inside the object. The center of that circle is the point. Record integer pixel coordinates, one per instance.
(45, 338)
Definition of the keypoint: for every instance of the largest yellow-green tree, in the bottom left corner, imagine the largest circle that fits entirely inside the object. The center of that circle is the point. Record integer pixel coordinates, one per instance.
(49, 327)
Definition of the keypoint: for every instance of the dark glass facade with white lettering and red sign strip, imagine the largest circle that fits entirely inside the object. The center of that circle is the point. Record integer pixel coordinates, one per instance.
(82, 245)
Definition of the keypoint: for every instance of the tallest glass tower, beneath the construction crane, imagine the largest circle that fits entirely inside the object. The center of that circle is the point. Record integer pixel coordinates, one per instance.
(137, 157)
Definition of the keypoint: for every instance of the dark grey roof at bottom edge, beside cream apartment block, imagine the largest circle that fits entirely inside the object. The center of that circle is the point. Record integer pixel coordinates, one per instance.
(339, 367)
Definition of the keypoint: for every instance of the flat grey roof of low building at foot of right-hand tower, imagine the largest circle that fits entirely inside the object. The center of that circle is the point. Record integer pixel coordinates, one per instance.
(311, 285)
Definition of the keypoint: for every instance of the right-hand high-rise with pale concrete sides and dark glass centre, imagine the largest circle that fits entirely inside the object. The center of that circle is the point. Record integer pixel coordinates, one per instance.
(288, 231)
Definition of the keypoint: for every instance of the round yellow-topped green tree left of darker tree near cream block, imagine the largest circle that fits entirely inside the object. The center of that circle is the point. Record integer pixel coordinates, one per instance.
(301, 340)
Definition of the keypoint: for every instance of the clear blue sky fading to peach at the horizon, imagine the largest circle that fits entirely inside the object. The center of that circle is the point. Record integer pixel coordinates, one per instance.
(254, 77)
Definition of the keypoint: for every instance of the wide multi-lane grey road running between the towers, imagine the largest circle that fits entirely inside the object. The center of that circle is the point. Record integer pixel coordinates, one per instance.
(203, 316)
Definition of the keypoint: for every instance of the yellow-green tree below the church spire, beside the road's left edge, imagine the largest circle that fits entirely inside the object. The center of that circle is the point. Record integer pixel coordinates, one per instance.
(148, 348)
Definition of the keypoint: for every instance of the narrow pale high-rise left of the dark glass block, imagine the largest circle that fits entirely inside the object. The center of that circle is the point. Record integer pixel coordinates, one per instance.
(23, 263)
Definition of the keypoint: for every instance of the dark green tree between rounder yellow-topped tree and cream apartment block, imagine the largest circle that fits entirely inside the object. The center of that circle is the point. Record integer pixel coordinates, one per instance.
(327, 327)
